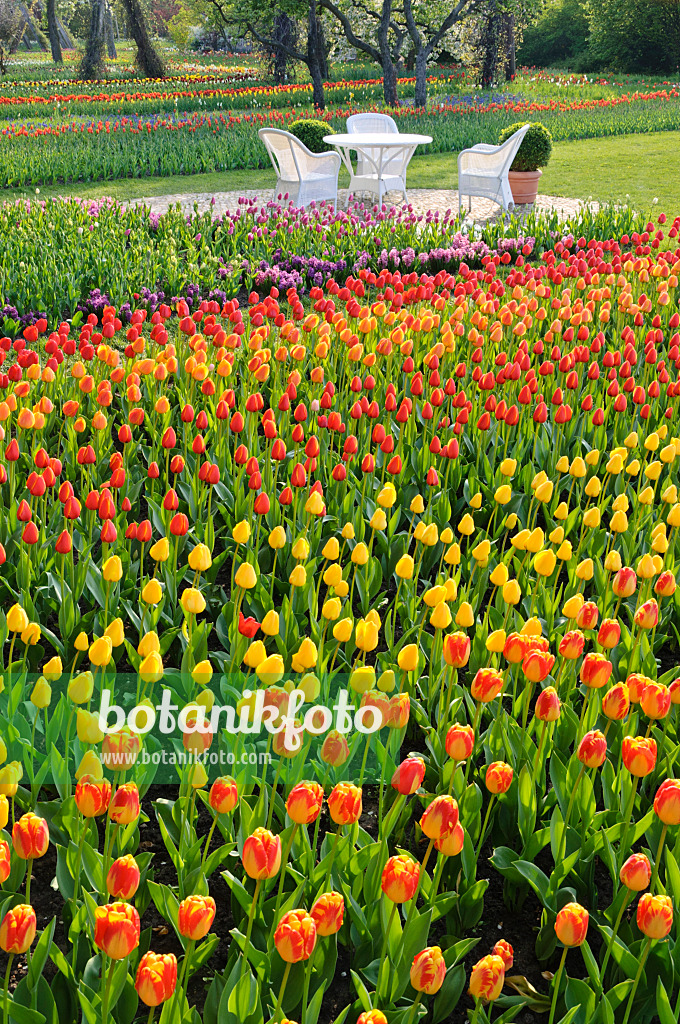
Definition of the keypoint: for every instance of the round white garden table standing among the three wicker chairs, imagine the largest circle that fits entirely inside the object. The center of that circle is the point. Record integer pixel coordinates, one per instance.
(382, 159)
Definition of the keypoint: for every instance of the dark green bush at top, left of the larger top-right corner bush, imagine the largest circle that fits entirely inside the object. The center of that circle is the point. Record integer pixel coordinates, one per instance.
(560, 37)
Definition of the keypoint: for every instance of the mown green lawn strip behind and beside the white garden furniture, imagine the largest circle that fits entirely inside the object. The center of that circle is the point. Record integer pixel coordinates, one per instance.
(643, 167)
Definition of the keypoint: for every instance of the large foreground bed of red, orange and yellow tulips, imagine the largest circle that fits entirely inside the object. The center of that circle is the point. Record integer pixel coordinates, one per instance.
(452, 498)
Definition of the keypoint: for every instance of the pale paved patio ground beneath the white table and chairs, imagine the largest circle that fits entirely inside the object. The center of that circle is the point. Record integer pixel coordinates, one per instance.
(422, 200)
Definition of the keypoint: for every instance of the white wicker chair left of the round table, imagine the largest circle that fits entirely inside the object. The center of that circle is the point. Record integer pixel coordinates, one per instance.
(305, 176)
